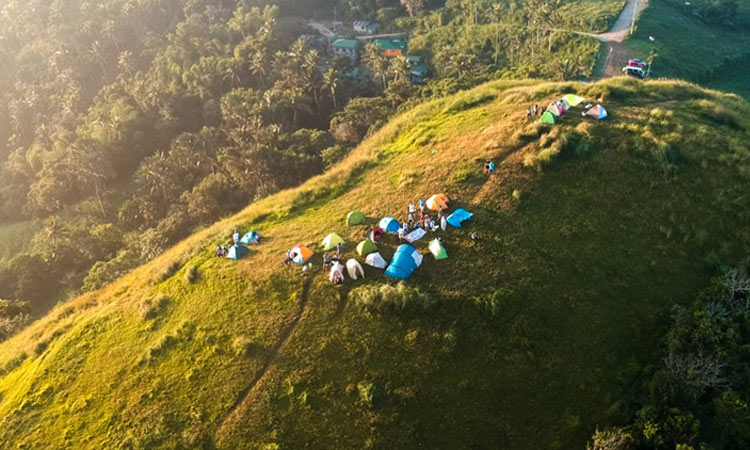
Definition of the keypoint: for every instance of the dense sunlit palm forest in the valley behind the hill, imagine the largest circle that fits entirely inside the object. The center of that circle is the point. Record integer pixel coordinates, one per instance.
(127, 124)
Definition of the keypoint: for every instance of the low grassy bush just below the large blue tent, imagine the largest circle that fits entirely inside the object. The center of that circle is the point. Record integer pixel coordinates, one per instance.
(385, 298)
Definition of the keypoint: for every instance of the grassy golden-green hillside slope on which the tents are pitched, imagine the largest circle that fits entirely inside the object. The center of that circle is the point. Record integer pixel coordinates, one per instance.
(526, 338)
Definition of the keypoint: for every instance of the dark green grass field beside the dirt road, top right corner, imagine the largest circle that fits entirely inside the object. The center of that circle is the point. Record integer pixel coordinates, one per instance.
(691, 49)
